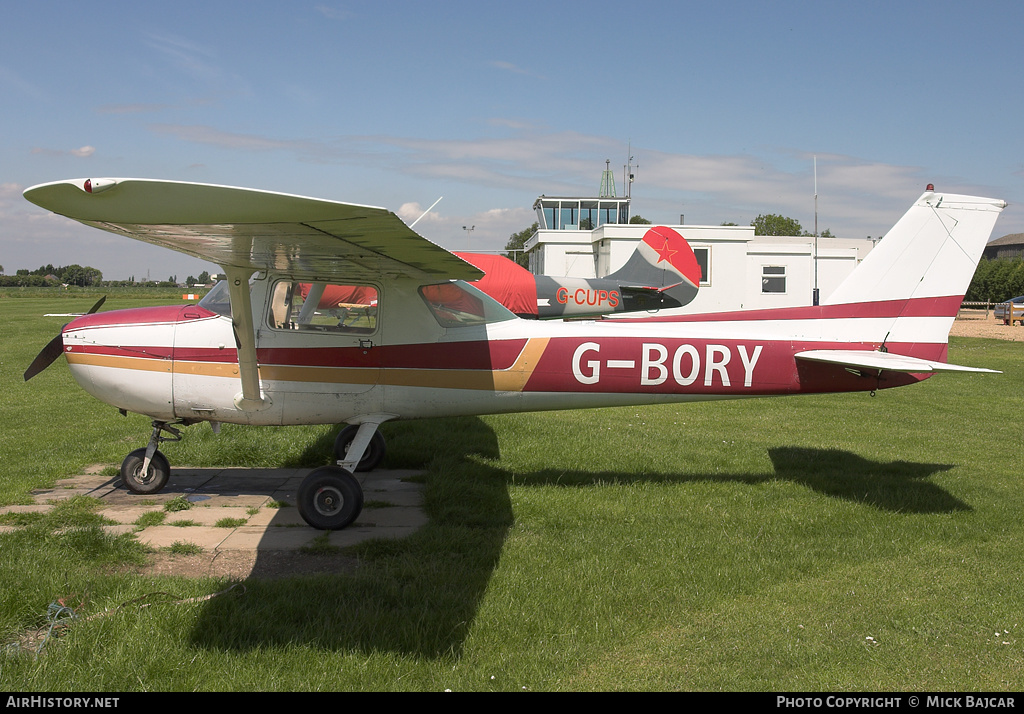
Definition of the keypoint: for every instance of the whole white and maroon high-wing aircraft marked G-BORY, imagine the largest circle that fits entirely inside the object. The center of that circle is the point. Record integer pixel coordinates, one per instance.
(267, 348)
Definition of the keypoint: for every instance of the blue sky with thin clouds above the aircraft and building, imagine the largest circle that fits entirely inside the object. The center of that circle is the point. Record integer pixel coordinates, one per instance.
(490, 105)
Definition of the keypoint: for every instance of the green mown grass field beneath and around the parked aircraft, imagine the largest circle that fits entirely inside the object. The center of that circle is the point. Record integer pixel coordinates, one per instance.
(826, 543)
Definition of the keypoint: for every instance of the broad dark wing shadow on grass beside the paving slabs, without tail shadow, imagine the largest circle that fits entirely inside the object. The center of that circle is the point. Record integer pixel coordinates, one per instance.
(417, 596)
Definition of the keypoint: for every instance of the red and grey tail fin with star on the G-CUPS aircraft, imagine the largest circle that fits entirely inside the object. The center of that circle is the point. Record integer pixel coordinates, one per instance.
(663, 262)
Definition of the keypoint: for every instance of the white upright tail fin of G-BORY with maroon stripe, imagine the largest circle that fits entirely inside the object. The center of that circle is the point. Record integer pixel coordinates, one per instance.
(912, 284)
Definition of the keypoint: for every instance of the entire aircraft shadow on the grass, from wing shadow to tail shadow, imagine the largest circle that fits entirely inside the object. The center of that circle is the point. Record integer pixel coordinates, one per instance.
(419, 596)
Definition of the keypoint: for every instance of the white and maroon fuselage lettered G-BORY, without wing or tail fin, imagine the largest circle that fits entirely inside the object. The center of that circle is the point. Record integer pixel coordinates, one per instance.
(182, 363)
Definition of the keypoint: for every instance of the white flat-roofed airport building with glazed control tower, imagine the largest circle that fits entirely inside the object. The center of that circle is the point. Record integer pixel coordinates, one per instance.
(592, 237)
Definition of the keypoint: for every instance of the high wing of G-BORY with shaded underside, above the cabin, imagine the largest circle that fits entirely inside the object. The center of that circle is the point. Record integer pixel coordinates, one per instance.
(252, 231)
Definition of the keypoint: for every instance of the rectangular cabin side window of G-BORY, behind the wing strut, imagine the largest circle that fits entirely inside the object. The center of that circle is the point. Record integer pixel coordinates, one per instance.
(324, 308)
